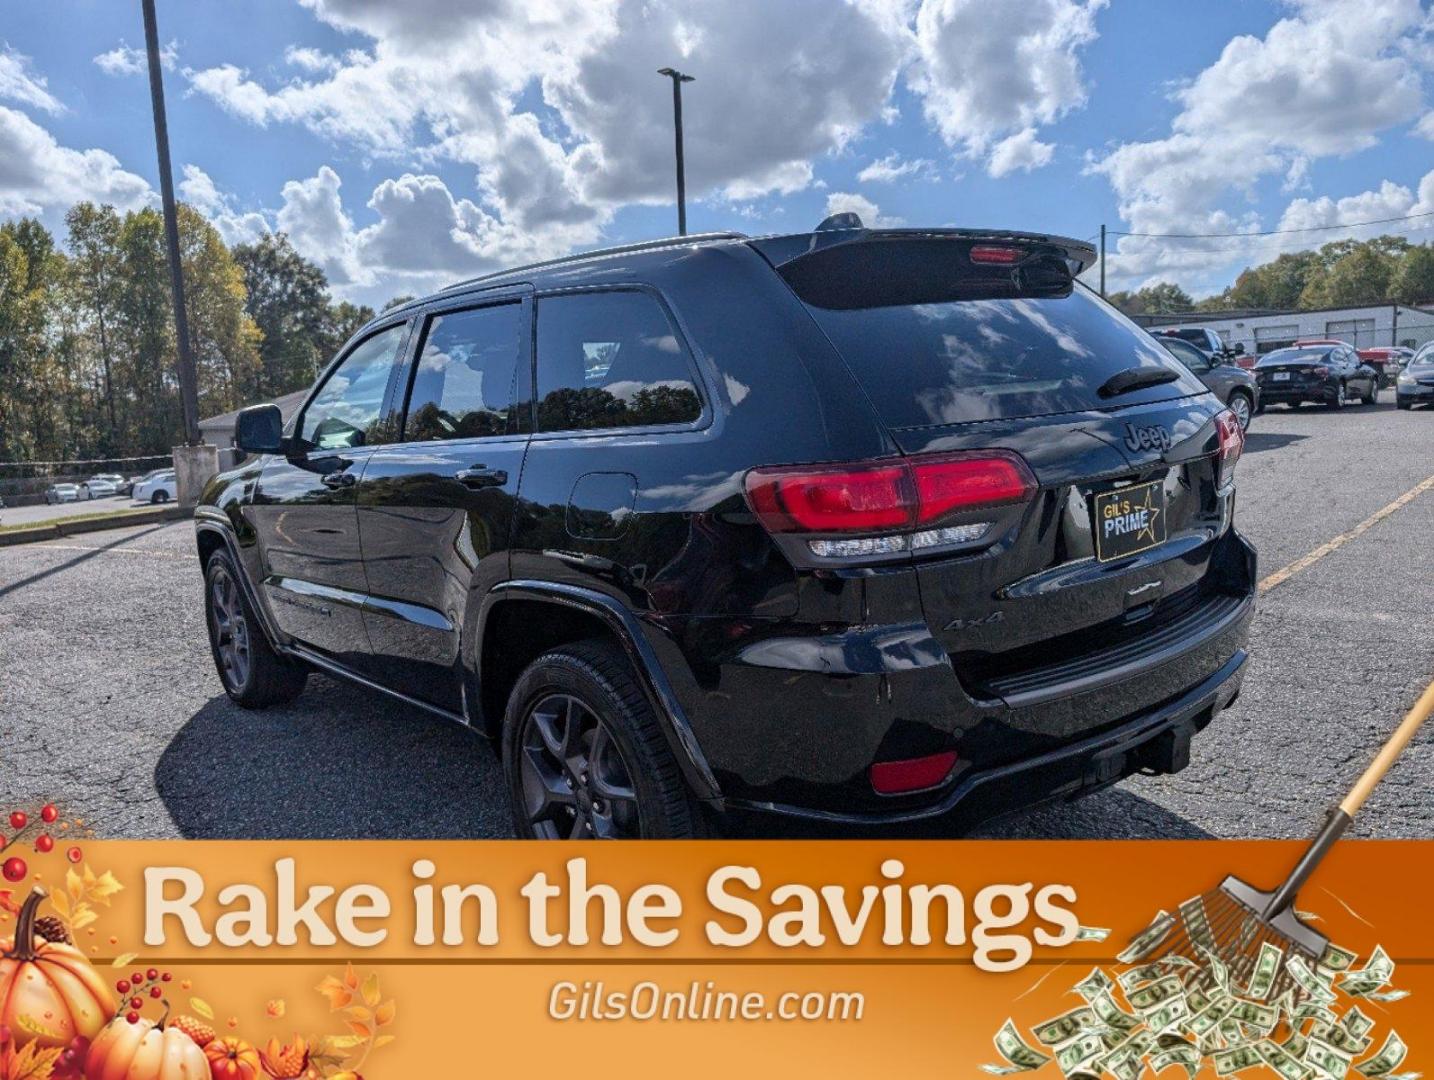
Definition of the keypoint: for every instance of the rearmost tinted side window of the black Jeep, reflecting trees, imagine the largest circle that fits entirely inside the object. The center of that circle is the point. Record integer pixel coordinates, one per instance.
(612, 361)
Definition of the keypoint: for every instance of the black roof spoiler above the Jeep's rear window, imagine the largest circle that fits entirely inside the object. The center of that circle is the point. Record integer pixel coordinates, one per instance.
(847, 269)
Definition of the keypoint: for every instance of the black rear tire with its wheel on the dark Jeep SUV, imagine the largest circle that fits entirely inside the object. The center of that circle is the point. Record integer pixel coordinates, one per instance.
(571, 711)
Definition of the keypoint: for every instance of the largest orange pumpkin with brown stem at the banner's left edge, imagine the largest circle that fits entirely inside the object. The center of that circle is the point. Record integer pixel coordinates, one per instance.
(49, 993)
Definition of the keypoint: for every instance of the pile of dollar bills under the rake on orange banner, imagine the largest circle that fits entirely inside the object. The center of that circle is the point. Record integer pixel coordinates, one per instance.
(1192, 1013)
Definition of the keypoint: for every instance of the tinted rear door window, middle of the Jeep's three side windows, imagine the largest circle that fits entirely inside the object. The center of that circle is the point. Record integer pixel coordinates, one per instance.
(464, 381)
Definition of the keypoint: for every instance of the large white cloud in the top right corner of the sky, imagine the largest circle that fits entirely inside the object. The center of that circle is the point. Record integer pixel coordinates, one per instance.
(1324, 81)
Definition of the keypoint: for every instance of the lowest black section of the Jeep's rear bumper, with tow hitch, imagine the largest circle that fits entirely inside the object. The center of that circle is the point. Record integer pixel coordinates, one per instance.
(1157, 742)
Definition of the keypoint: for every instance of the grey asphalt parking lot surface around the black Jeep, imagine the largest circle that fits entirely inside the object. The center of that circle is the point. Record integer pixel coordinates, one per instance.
(110, 702)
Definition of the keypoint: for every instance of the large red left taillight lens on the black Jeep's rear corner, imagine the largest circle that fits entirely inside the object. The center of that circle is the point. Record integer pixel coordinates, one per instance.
(885, 497)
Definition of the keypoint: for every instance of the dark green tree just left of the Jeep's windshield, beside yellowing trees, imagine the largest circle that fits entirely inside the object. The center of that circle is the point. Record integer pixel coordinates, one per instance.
(289, 302)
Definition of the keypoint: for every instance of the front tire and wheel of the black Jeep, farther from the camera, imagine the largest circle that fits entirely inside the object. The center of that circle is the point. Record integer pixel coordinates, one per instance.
(253, 675)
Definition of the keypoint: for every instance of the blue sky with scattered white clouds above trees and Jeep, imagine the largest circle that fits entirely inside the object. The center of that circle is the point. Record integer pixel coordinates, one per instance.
(407, 146)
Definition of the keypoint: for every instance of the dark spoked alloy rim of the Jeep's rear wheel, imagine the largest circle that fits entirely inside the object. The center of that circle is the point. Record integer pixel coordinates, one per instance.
(576, 782)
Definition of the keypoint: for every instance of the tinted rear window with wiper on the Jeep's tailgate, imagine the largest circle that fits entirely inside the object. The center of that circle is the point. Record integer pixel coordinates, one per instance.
(963, 361)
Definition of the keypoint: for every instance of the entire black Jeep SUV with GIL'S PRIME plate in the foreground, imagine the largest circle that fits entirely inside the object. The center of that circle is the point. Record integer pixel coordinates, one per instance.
(853, 530)
